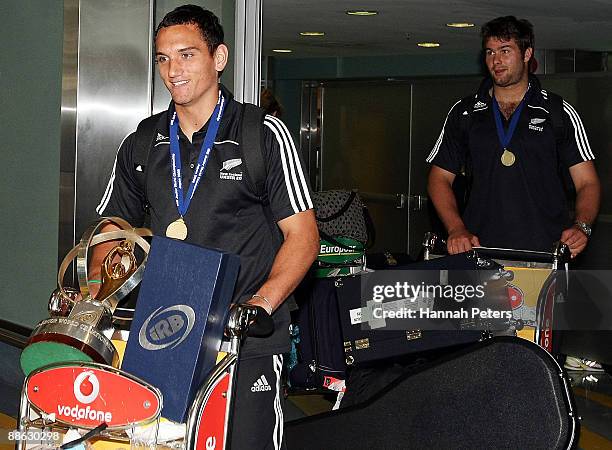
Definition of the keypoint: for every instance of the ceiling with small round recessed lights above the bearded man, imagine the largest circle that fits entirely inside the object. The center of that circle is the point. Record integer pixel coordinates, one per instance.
(559, 24)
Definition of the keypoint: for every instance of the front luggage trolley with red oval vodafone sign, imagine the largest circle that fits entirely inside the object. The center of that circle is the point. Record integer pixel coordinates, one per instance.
(133, 407)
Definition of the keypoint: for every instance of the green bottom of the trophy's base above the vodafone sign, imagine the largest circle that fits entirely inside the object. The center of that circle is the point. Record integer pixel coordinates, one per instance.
(40, 354)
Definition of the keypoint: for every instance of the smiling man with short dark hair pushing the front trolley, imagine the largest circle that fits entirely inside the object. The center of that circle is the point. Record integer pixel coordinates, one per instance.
(224, 211)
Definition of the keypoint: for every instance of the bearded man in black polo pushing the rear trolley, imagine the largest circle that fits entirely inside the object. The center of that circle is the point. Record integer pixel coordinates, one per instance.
(521, 148)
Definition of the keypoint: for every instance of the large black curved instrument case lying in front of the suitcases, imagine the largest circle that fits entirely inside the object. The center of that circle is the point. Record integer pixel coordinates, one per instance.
(504, 393)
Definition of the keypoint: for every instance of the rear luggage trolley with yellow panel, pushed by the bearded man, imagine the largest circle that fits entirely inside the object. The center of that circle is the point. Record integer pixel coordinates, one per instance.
(535, 282)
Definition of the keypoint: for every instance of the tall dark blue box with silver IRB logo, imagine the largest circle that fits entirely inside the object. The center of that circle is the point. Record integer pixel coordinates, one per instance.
(179, 319)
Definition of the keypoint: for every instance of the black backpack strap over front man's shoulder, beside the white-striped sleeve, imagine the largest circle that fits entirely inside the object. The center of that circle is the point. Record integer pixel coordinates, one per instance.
(251, 146)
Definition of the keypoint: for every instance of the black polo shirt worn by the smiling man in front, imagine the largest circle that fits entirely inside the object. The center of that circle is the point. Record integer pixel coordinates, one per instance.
(224, 212)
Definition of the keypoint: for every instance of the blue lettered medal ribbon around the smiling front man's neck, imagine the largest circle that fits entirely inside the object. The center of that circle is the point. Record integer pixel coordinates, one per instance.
(182, 203)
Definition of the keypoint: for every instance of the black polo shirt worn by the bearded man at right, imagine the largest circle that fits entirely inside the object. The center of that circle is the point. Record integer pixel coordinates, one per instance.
(522, 206)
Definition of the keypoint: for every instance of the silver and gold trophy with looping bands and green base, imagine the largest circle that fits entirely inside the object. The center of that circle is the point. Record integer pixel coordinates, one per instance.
(81, 325)
